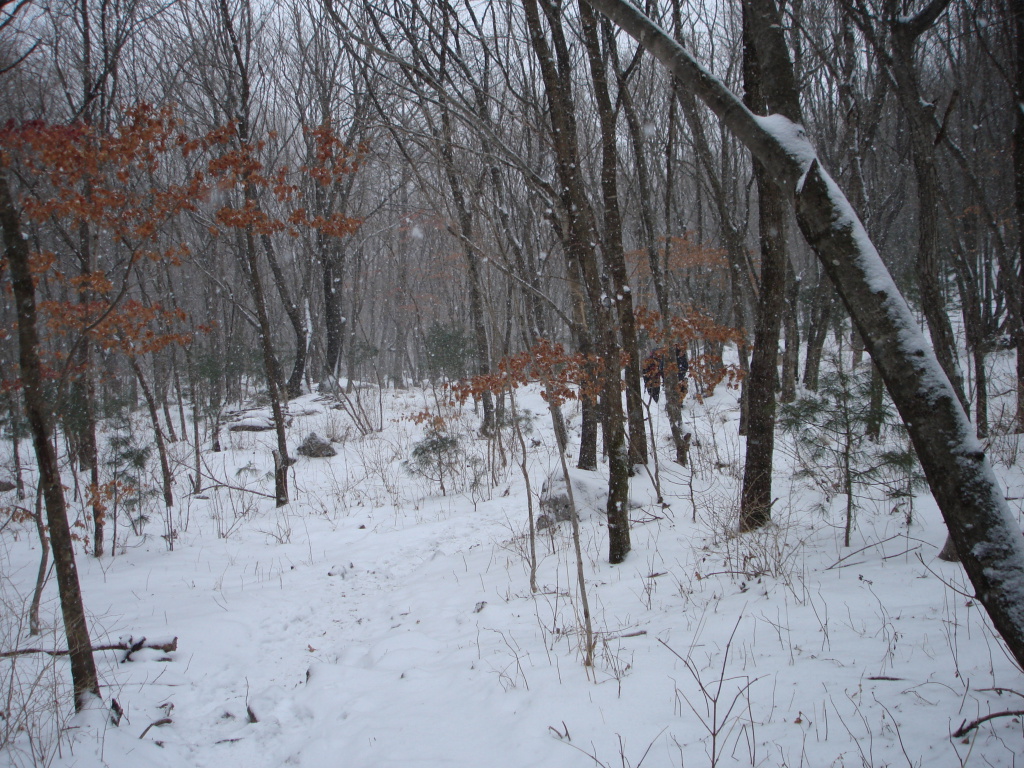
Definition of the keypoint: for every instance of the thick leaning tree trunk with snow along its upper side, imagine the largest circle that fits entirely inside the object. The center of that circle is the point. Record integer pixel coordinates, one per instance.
(961, 477)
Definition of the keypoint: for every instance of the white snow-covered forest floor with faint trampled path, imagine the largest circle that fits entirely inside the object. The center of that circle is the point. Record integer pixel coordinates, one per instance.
(375, 623)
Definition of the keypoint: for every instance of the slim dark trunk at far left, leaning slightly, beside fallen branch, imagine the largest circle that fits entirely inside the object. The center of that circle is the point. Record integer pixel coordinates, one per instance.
(83, 667)
